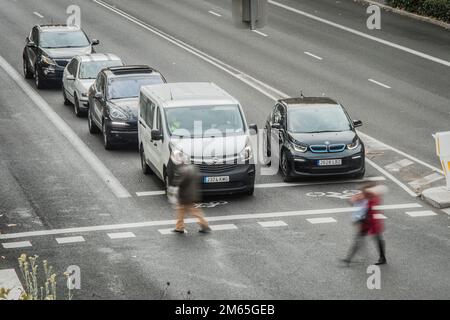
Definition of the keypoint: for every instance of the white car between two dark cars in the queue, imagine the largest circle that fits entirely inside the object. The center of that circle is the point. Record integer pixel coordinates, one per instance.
(80, 73)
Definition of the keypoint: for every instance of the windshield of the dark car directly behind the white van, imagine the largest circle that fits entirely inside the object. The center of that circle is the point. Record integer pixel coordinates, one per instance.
(129, 87)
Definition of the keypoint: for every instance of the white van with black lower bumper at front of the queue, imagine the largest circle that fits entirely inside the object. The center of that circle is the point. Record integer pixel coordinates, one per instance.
(199, 123)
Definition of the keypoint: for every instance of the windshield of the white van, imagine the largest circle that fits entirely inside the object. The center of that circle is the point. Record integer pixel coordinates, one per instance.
(205, 121)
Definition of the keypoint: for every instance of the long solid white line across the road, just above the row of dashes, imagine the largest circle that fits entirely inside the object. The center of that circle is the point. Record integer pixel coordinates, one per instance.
(246, 216)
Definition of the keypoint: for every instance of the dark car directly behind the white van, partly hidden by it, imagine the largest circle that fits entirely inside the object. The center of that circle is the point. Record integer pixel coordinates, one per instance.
(114, 102)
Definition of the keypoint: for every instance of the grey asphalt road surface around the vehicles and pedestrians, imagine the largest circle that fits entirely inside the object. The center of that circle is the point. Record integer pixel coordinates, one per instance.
(49, 189)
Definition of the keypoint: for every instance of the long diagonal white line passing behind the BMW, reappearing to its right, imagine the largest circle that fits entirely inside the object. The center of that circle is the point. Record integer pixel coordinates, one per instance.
(247, 79)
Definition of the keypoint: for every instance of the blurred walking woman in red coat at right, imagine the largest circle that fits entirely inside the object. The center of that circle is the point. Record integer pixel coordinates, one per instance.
(368, 224)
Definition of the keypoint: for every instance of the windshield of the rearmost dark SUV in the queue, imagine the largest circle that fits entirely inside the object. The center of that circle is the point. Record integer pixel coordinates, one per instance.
(69, 39)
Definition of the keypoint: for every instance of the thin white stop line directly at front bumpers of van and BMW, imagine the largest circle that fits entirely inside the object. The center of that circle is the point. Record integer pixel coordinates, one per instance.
(282, 185)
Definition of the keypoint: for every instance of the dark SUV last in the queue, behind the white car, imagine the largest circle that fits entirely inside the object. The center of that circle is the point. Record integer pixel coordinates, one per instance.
(48, 50)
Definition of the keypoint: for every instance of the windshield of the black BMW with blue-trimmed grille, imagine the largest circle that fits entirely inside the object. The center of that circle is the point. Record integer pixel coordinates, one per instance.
(317, 118)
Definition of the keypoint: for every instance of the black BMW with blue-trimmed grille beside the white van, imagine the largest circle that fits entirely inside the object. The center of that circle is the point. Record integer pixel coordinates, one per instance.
(316, 138)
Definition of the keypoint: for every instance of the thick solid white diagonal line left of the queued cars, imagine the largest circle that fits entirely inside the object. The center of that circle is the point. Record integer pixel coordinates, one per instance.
(108, 178)
